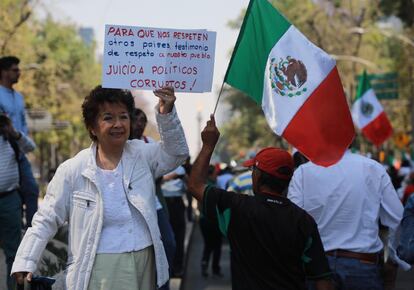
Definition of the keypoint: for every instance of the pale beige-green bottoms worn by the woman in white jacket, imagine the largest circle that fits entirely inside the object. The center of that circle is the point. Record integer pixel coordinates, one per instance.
(125, 271)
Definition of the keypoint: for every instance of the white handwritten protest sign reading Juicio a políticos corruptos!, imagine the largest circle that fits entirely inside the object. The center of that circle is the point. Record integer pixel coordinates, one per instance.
(149, 58)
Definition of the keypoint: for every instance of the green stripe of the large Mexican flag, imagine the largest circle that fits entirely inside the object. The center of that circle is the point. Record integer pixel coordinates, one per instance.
(262, 27)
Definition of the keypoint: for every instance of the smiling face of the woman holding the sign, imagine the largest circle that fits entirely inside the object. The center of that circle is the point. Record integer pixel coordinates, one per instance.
(112, 125)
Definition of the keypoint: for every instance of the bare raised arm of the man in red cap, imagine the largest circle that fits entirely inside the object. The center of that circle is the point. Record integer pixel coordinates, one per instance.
(198, 176)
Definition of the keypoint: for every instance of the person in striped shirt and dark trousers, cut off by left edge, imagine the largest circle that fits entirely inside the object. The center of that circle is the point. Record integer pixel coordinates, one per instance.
(12, 144)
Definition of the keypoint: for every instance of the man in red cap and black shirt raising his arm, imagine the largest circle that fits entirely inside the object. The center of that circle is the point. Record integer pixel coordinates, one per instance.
(274, 244)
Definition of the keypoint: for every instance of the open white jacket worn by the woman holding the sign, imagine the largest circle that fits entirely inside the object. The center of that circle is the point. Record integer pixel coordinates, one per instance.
(73, 195)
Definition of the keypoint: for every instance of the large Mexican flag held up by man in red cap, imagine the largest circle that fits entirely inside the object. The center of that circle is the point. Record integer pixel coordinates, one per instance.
(296, 83)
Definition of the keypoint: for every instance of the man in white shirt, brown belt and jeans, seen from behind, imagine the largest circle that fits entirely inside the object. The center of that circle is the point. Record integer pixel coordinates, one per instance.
(347, 200)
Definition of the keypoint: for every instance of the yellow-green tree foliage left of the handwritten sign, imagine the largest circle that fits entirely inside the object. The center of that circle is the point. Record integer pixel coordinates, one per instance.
(59, 69)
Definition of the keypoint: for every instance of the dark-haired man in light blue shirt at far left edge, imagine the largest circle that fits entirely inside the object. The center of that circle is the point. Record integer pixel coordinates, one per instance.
(12, 103)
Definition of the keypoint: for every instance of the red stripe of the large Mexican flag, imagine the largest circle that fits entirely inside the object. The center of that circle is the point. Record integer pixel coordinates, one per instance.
(322, 129)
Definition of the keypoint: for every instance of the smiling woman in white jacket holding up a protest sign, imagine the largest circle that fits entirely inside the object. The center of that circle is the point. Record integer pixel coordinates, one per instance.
(106, 193)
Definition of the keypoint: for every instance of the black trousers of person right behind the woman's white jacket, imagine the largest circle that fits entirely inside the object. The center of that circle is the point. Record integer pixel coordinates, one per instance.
(176, 209)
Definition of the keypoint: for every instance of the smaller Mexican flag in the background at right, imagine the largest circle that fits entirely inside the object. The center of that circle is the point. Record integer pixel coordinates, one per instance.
(368, 114)
